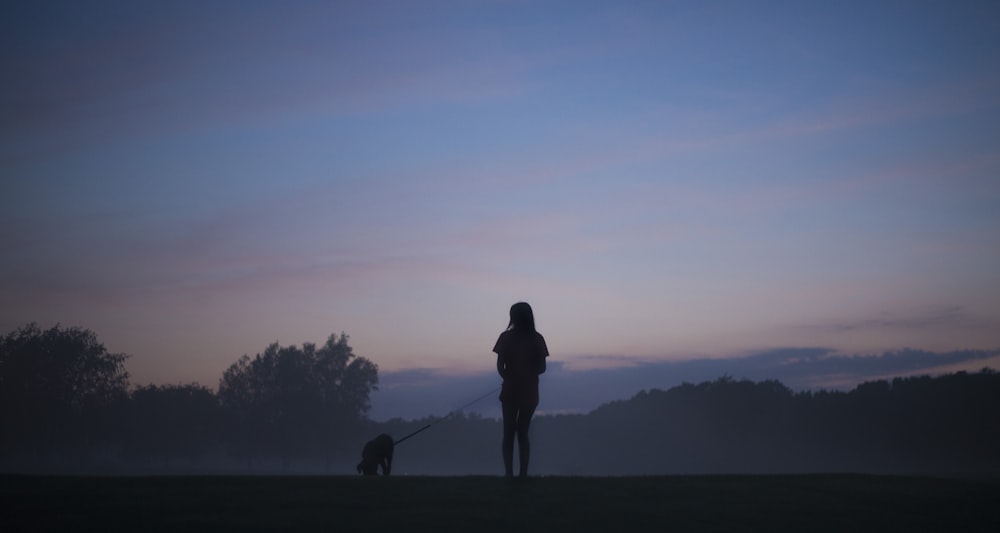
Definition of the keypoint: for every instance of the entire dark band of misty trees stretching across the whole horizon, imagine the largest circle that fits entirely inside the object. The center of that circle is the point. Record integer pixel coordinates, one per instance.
(66, 407)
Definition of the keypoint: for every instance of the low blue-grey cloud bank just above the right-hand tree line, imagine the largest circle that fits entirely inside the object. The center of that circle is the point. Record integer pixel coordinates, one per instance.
(419, 393)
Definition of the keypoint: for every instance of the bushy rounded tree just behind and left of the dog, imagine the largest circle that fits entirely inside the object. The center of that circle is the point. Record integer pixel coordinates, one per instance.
(291, 402)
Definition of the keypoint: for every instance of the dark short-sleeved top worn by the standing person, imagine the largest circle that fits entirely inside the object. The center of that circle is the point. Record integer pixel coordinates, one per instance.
(520, 359)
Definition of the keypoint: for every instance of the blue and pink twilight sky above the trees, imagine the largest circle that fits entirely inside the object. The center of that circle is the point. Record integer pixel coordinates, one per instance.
(666, 183)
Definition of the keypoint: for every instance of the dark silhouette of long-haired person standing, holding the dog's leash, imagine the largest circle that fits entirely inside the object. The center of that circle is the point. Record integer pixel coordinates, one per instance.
(521, 353)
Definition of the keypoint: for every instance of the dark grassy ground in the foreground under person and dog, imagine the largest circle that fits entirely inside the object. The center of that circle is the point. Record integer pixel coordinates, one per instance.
(481, 503)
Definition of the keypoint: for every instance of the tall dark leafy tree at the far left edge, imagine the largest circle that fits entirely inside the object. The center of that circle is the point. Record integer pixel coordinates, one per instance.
(55, 389)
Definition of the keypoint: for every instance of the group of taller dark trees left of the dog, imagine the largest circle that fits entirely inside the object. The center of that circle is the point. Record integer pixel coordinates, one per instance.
(66, 406)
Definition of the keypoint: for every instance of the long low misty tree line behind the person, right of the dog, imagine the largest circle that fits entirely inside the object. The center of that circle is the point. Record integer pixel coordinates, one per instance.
(948, 424)
